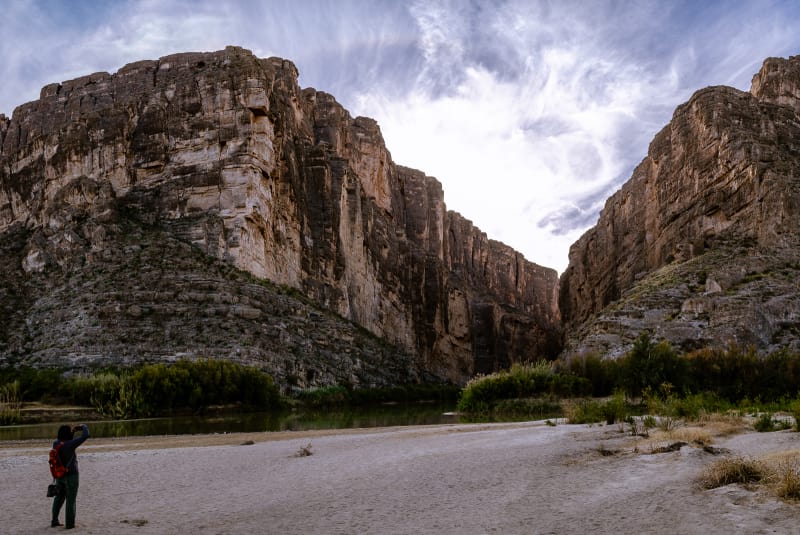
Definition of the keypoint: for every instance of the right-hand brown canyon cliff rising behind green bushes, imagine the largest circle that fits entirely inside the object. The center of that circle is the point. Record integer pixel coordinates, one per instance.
(700, 246)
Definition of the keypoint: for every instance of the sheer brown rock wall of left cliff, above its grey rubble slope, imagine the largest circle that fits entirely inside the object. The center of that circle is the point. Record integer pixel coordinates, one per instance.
(225, 151)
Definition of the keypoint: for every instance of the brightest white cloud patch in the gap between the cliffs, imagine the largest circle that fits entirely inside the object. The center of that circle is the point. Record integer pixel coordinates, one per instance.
(513, 151)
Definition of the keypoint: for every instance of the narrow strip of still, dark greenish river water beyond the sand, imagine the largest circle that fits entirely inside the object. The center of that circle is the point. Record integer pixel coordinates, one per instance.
(380, 416)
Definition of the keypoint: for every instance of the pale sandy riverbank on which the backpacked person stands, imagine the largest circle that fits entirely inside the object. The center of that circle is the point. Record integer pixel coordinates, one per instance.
(525, 478)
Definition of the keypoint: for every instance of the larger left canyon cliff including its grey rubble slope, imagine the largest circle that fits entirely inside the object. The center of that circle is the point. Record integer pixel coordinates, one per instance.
(225, 152)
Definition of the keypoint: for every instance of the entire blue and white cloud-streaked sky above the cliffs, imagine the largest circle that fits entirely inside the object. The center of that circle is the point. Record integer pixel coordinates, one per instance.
(530, 113)
